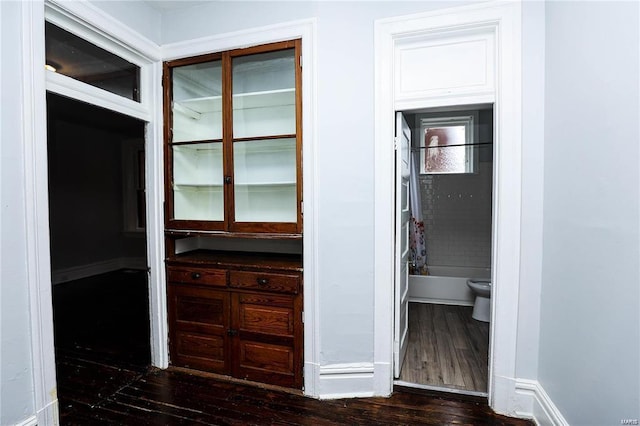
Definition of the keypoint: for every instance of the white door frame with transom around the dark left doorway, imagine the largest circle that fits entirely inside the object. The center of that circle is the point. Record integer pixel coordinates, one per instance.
(97, 27)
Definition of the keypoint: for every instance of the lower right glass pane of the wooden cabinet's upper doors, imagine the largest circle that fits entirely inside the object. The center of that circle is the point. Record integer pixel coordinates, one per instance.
(265, 180)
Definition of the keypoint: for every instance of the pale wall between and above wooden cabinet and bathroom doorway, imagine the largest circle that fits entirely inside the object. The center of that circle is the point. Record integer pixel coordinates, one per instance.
(345, 118)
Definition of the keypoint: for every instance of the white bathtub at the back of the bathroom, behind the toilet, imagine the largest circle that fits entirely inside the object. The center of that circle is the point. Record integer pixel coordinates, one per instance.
(445, 285)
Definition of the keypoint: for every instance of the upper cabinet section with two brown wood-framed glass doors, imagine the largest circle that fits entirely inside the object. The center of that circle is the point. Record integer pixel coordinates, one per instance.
(233, 133)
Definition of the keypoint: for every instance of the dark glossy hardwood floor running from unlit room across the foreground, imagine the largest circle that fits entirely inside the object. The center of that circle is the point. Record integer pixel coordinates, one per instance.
(104, 377)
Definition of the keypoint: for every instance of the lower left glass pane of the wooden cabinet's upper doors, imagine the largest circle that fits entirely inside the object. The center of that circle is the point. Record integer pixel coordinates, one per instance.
(197, 182)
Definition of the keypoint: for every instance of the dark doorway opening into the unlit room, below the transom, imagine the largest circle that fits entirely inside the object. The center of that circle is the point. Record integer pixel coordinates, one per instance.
(98, 250)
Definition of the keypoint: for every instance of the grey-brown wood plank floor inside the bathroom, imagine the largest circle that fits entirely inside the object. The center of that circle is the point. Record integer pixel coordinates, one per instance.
(446, 348)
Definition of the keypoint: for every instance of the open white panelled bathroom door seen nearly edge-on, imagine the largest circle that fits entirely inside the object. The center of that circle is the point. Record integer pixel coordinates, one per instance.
(403, 217)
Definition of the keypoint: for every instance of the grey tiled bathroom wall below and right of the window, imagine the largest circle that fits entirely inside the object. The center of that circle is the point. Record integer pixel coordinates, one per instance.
(456, 208)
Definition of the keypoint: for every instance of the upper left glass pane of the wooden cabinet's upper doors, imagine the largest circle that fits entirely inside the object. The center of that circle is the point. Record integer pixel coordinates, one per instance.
(197, 102)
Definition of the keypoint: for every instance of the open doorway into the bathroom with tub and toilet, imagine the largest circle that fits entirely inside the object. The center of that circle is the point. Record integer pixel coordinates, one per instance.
(443, 328)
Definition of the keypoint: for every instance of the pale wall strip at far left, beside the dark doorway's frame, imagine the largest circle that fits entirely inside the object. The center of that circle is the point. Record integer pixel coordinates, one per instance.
(16, 392)
